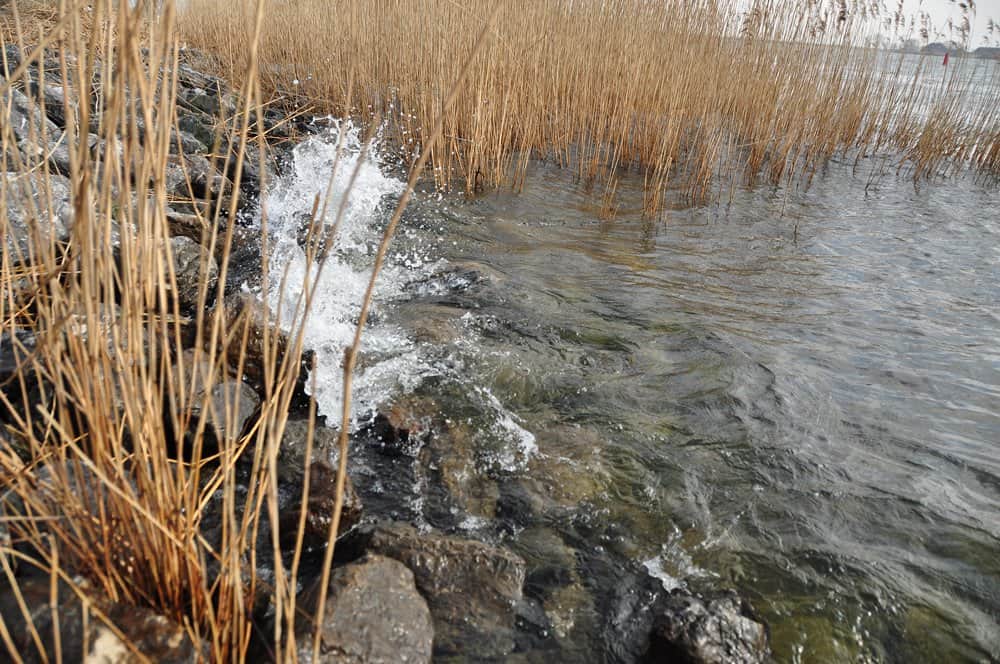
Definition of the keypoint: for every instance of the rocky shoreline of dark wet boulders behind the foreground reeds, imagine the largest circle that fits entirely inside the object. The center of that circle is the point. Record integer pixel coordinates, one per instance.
(397, 592)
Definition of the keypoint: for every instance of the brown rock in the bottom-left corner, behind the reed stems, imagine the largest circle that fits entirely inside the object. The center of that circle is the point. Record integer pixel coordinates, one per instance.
(83, 636)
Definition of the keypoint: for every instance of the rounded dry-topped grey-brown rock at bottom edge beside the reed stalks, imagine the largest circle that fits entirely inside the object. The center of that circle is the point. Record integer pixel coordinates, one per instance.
(374, 614)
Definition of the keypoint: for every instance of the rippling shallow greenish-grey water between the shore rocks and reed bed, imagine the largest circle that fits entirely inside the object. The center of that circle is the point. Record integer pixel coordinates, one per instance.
(794, 394)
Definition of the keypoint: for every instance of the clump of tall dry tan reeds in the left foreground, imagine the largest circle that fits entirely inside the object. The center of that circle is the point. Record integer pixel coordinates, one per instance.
(100, 490)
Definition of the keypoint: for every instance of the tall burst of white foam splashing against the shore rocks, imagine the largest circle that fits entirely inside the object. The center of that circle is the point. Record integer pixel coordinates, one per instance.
(390, 360)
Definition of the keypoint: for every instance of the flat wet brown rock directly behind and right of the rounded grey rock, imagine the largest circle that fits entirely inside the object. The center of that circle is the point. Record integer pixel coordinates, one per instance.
(472, 588)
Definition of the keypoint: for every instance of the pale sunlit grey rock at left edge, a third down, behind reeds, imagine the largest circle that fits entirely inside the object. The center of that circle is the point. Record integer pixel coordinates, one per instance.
(30, 207)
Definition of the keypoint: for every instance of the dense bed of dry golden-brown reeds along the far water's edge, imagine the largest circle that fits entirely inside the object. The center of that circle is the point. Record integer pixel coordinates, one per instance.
(694, 95)
